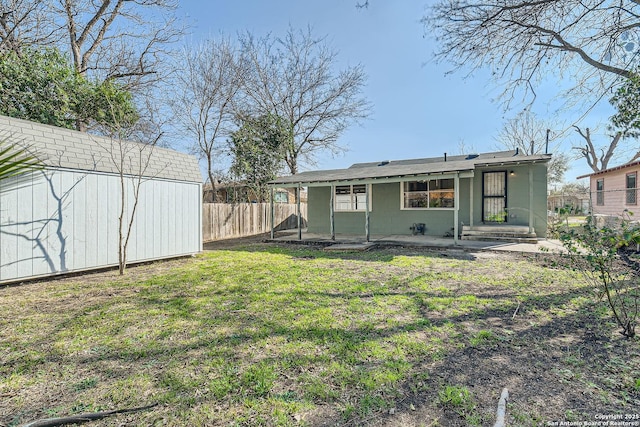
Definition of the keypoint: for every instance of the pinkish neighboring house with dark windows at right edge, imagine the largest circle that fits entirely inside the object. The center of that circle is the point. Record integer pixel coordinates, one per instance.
(615, 190)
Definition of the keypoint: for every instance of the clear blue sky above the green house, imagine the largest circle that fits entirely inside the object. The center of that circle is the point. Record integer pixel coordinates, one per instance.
(418, 109)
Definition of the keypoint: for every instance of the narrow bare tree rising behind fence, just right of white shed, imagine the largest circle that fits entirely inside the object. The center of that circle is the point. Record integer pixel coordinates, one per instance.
(209, 81)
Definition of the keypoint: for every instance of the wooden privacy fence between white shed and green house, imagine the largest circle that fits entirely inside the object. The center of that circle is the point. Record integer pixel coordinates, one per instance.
(226, 220)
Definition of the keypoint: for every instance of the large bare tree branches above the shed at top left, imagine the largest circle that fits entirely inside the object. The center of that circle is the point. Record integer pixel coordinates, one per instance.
(126, 42)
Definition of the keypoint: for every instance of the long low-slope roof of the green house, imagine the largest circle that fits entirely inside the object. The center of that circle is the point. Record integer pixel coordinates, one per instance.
(412, 167)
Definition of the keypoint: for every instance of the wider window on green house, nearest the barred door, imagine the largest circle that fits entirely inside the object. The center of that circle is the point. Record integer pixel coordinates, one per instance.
(435, 193)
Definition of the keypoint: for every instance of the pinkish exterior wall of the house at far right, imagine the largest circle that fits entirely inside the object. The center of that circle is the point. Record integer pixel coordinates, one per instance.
(615, 201)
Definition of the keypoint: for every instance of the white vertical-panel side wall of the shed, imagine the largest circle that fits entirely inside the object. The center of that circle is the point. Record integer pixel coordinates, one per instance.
(57, 221)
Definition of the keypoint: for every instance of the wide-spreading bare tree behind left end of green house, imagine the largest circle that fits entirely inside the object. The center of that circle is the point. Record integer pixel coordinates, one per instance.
(294, 78)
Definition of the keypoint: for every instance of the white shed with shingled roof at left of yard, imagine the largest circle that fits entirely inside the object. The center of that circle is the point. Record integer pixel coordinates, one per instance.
(64, 218)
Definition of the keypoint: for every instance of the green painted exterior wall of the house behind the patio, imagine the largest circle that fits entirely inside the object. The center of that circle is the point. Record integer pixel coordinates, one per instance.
(387, 217)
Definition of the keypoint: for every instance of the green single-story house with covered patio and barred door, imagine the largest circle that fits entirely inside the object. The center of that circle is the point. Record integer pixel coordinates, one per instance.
(443, 194)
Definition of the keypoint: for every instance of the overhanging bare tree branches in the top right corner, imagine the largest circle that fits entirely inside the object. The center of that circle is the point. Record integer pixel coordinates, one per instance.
(523, 42)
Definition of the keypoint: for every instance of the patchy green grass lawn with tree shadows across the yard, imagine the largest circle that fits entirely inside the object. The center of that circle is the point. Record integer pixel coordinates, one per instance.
(272, 335)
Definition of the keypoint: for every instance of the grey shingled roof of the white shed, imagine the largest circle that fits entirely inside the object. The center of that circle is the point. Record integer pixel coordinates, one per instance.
(69, 149)
